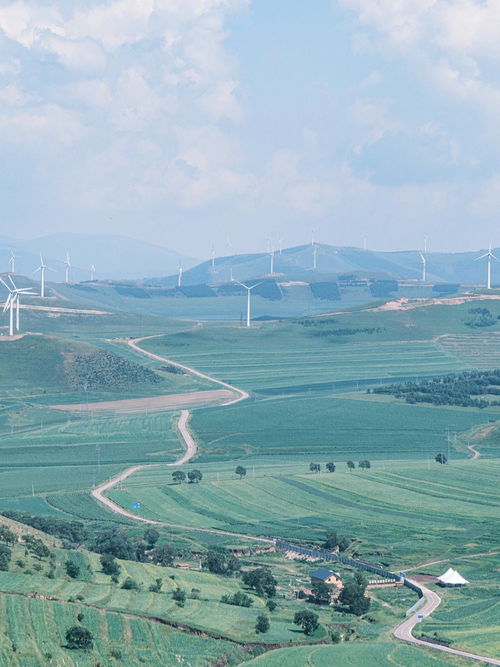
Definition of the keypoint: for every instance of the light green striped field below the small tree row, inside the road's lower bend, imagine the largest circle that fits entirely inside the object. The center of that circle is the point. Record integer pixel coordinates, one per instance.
(401, 513)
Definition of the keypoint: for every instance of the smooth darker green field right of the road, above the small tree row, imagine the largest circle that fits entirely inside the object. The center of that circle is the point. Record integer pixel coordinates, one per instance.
(336, 428)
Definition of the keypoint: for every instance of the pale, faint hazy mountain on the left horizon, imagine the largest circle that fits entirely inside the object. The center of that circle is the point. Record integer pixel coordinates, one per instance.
(115, 257)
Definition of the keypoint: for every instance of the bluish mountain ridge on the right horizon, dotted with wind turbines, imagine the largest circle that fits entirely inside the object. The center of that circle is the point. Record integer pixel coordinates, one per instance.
(298, 264)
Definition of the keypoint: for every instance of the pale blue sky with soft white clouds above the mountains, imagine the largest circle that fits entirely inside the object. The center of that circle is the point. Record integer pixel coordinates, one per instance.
(224, 123)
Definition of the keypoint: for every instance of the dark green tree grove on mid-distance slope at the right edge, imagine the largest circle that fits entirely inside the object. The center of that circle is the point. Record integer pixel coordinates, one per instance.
(454, 389)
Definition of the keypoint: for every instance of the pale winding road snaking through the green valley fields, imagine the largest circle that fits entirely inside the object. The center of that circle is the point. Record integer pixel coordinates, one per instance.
(403, 631)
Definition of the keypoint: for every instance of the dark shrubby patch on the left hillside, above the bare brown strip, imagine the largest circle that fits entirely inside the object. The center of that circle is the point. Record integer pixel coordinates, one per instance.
(105, 370)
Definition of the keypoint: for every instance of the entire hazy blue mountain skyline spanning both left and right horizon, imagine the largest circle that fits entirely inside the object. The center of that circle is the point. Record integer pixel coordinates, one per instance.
(122, 258)
